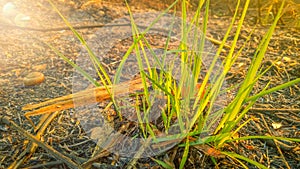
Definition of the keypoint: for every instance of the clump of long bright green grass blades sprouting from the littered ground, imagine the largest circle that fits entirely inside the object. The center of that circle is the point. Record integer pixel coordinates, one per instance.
(191, 54)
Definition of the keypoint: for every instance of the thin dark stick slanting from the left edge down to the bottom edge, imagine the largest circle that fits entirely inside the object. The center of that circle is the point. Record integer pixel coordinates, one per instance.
(49, 149)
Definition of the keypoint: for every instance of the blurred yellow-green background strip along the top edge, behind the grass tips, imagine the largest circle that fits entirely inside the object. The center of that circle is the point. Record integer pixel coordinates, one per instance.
(260, 11)
